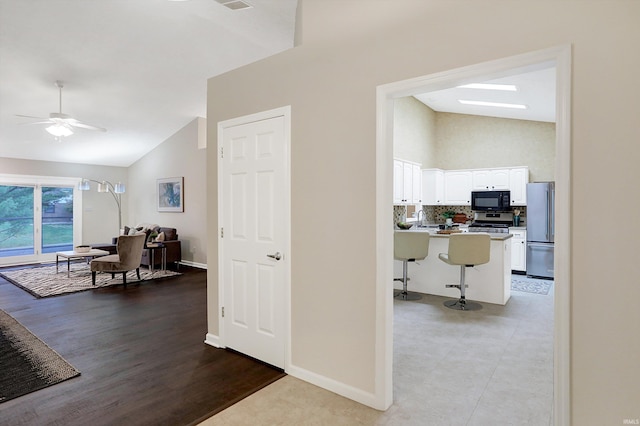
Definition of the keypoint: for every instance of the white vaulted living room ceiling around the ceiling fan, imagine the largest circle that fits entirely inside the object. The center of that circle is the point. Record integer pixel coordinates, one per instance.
(138, 68)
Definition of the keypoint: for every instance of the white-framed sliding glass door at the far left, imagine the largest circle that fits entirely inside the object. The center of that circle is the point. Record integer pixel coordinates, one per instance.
(38, 217)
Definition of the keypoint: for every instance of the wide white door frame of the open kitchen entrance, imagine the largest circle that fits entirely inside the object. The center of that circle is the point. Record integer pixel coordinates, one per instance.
(386, 94)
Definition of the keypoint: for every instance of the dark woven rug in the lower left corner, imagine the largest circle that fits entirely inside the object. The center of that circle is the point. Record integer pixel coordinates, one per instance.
(28, 364)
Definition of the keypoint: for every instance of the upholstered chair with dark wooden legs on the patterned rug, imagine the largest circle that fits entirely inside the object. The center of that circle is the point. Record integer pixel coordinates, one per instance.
(128, 257)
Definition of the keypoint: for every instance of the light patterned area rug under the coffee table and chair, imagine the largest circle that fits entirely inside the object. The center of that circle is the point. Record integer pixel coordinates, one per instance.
(44, 281)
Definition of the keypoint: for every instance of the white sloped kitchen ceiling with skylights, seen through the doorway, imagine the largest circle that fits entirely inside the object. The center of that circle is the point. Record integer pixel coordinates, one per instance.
(536, 89)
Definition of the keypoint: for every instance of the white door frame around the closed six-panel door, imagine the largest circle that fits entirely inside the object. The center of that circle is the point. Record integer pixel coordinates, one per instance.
(284, 112)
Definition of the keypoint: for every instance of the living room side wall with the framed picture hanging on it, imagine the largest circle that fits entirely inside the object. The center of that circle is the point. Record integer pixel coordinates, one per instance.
(177, 156)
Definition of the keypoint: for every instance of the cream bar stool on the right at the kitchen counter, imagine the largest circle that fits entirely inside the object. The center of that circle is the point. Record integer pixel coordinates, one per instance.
(466, 250)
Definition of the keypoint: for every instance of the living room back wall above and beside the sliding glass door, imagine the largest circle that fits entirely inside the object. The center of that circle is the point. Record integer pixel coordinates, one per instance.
(100, 213)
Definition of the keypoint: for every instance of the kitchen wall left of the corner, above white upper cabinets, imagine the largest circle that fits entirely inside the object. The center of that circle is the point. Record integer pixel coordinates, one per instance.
(414, 132)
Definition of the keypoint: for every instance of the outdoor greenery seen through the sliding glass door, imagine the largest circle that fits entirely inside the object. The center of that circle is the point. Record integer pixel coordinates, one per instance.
(18, 221)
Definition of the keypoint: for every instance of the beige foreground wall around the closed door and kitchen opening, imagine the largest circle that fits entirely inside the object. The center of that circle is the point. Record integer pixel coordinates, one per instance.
(351, 47)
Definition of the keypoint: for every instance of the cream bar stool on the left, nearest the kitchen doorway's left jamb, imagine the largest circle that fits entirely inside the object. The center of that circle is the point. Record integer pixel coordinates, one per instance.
(408, 247)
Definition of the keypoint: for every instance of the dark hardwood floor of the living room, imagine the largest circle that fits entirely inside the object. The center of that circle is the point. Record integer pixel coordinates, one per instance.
(141, 353)
